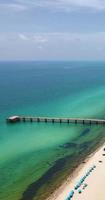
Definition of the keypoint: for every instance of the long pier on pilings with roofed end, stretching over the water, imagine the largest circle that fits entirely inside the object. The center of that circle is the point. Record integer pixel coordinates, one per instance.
(14, 119)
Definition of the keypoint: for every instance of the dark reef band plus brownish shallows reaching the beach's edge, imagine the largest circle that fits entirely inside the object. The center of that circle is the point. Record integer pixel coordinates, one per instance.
(63, 167)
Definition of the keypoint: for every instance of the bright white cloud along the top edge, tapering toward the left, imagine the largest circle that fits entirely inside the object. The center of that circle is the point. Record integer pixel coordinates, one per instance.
(68, 5)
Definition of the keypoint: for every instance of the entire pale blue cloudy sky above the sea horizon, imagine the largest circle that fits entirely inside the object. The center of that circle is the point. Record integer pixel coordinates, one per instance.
(52, 29)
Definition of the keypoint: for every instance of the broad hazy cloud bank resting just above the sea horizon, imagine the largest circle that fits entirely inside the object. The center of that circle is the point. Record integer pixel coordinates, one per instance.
(52, 45)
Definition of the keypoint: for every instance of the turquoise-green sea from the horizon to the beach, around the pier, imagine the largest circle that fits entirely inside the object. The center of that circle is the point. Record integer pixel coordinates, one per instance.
(30, 151)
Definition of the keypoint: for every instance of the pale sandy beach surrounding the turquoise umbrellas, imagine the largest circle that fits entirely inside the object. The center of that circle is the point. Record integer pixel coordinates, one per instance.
(95, 189)
